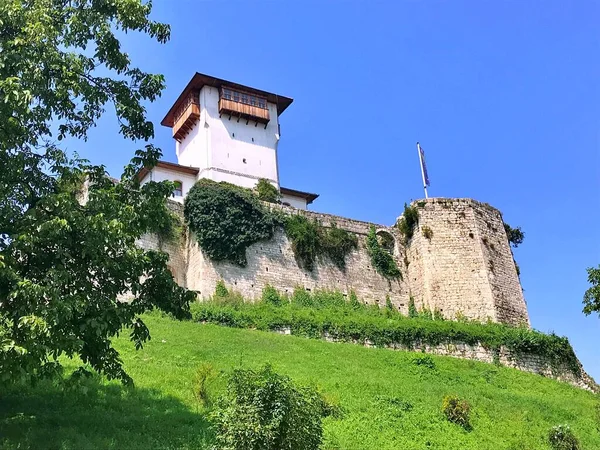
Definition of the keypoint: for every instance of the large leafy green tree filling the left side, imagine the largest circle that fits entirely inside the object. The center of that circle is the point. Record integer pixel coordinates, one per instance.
(65, 265)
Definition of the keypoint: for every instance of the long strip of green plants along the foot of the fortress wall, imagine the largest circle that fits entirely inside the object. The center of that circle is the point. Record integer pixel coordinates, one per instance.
(326, 313)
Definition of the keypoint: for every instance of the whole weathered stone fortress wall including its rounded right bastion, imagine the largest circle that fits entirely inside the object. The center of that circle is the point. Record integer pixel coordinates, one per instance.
(464, 267)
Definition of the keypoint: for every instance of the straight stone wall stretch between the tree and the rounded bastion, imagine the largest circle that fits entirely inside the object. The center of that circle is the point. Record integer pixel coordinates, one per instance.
(272, 262)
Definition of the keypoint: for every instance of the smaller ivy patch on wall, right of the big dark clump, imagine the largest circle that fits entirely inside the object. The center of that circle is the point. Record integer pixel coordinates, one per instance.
(310, 240)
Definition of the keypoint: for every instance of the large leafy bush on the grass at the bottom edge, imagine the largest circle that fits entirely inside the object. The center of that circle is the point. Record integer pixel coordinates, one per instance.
(264, 410)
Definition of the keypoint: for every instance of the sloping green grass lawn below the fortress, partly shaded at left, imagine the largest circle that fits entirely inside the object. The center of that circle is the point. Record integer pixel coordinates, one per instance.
(510, 409)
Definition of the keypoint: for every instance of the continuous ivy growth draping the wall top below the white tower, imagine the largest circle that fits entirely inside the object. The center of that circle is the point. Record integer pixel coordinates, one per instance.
(227, 219)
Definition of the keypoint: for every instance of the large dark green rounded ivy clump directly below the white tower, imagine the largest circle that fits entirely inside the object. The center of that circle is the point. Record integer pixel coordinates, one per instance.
(226, 219)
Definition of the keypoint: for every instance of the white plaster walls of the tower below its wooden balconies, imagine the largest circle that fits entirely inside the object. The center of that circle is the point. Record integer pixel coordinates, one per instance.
(230, 150)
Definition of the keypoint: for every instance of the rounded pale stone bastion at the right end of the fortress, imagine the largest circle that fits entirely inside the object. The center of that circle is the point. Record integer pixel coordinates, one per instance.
(466, 266)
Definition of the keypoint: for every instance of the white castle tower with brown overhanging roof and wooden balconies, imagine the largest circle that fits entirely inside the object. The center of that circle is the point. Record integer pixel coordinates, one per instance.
(225, 131)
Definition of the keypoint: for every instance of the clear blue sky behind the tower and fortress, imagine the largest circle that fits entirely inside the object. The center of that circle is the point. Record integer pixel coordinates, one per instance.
(503, 96)
